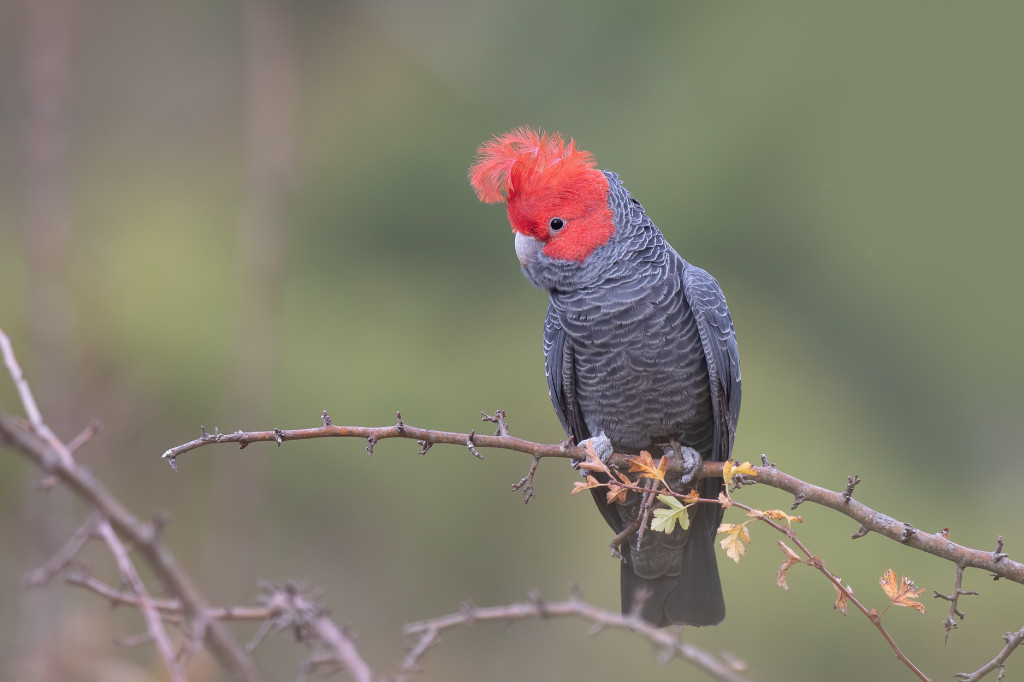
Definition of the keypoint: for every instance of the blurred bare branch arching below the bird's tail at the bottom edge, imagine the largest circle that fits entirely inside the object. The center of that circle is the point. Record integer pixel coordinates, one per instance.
(428, 633)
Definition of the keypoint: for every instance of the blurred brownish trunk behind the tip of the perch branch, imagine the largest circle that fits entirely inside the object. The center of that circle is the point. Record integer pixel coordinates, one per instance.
(270, 164)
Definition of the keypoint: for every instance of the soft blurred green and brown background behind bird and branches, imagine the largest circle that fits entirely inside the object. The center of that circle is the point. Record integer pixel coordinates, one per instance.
(240, 215)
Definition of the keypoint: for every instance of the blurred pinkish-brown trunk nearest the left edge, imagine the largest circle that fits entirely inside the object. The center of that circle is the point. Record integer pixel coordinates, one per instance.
(49, 241)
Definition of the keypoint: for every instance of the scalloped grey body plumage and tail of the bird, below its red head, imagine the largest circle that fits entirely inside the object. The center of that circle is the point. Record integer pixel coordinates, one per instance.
(639, 346)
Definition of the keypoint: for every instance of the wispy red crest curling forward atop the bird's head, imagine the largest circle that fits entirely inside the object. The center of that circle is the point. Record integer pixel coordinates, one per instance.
(523, 161)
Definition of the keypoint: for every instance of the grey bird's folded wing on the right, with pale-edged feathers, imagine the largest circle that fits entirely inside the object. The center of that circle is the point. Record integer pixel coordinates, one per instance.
(719, 340)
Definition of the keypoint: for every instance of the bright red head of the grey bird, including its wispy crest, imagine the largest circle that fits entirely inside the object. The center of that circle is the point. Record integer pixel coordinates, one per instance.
(554, 192)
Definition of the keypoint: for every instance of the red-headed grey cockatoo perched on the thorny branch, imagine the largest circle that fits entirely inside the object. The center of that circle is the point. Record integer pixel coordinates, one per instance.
(641, 352)
